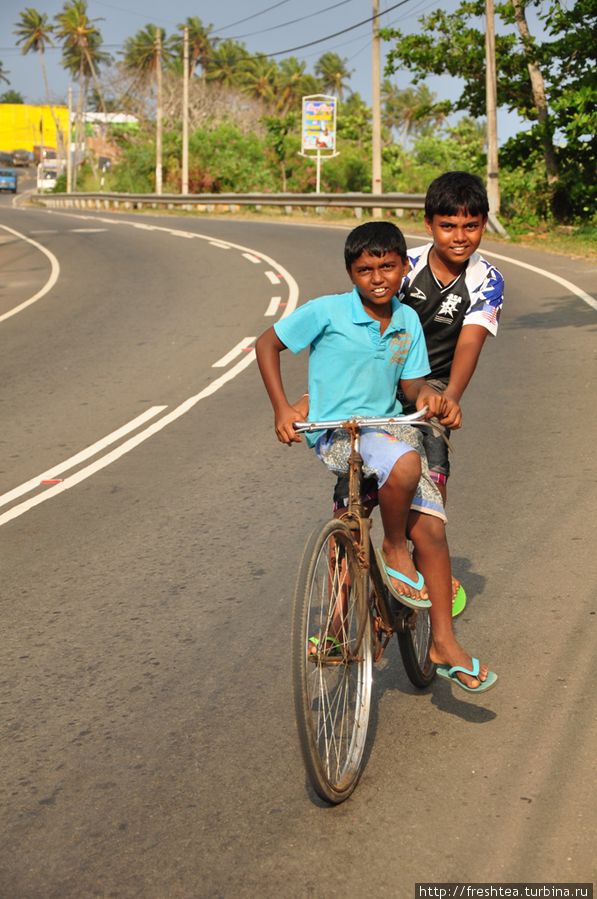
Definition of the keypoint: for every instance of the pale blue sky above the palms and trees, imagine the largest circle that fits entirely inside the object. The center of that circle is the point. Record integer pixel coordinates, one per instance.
(268, 27)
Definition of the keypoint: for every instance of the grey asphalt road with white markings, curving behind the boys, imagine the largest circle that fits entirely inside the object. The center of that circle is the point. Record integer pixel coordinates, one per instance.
(148, 745)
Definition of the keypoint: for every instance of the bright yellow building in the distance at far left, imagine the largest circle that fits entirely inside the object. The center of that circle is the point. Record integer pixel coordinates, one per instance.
(22, 126)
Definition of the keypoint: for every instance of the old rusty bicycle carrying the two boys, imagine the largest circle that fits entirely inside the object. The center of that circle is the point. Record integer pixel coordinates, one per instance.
(343, 620)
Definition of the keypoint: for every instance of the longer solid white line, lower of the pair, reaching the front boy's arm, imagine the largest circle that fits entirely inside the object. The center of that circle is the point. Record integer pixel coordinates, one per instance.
(130, 444)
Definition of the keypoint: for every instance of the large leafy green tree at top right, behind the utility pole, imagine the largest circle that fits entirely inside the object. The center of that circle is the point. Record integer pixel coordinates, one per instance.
(545, 82)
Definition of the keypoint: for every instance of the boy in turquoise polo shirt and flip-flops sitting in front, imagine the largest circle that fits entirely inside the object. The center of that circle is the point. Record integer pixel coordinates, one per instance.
(363, 346)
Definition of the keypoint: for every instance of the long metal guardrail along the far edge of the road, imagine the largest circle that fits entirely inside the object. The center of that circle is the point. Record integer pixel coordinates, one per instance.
(233, 202)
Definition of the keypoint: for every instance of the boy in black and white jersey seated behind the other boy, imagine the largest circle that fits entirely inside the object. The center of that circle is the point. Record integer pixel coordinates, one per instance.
(458, 297)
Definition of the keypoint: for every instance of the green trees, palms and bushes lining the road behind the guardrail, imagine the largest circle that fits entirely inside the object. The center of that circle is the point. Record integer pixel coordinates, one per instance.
(244, 110)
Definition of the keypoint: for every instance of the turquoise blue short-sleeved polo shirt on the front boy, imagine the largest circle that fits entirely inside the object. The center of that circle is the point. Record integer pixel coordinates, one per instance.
(353, 368)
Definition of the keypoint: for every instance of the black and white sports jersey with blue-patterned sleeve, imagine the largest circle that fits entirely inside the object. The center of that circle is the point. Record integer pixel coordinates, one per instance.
(474, 298)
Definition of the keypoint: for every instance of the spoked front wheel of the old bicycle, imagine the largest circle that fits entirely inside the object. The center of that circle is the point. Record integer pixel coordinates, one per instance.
(332, 662)
